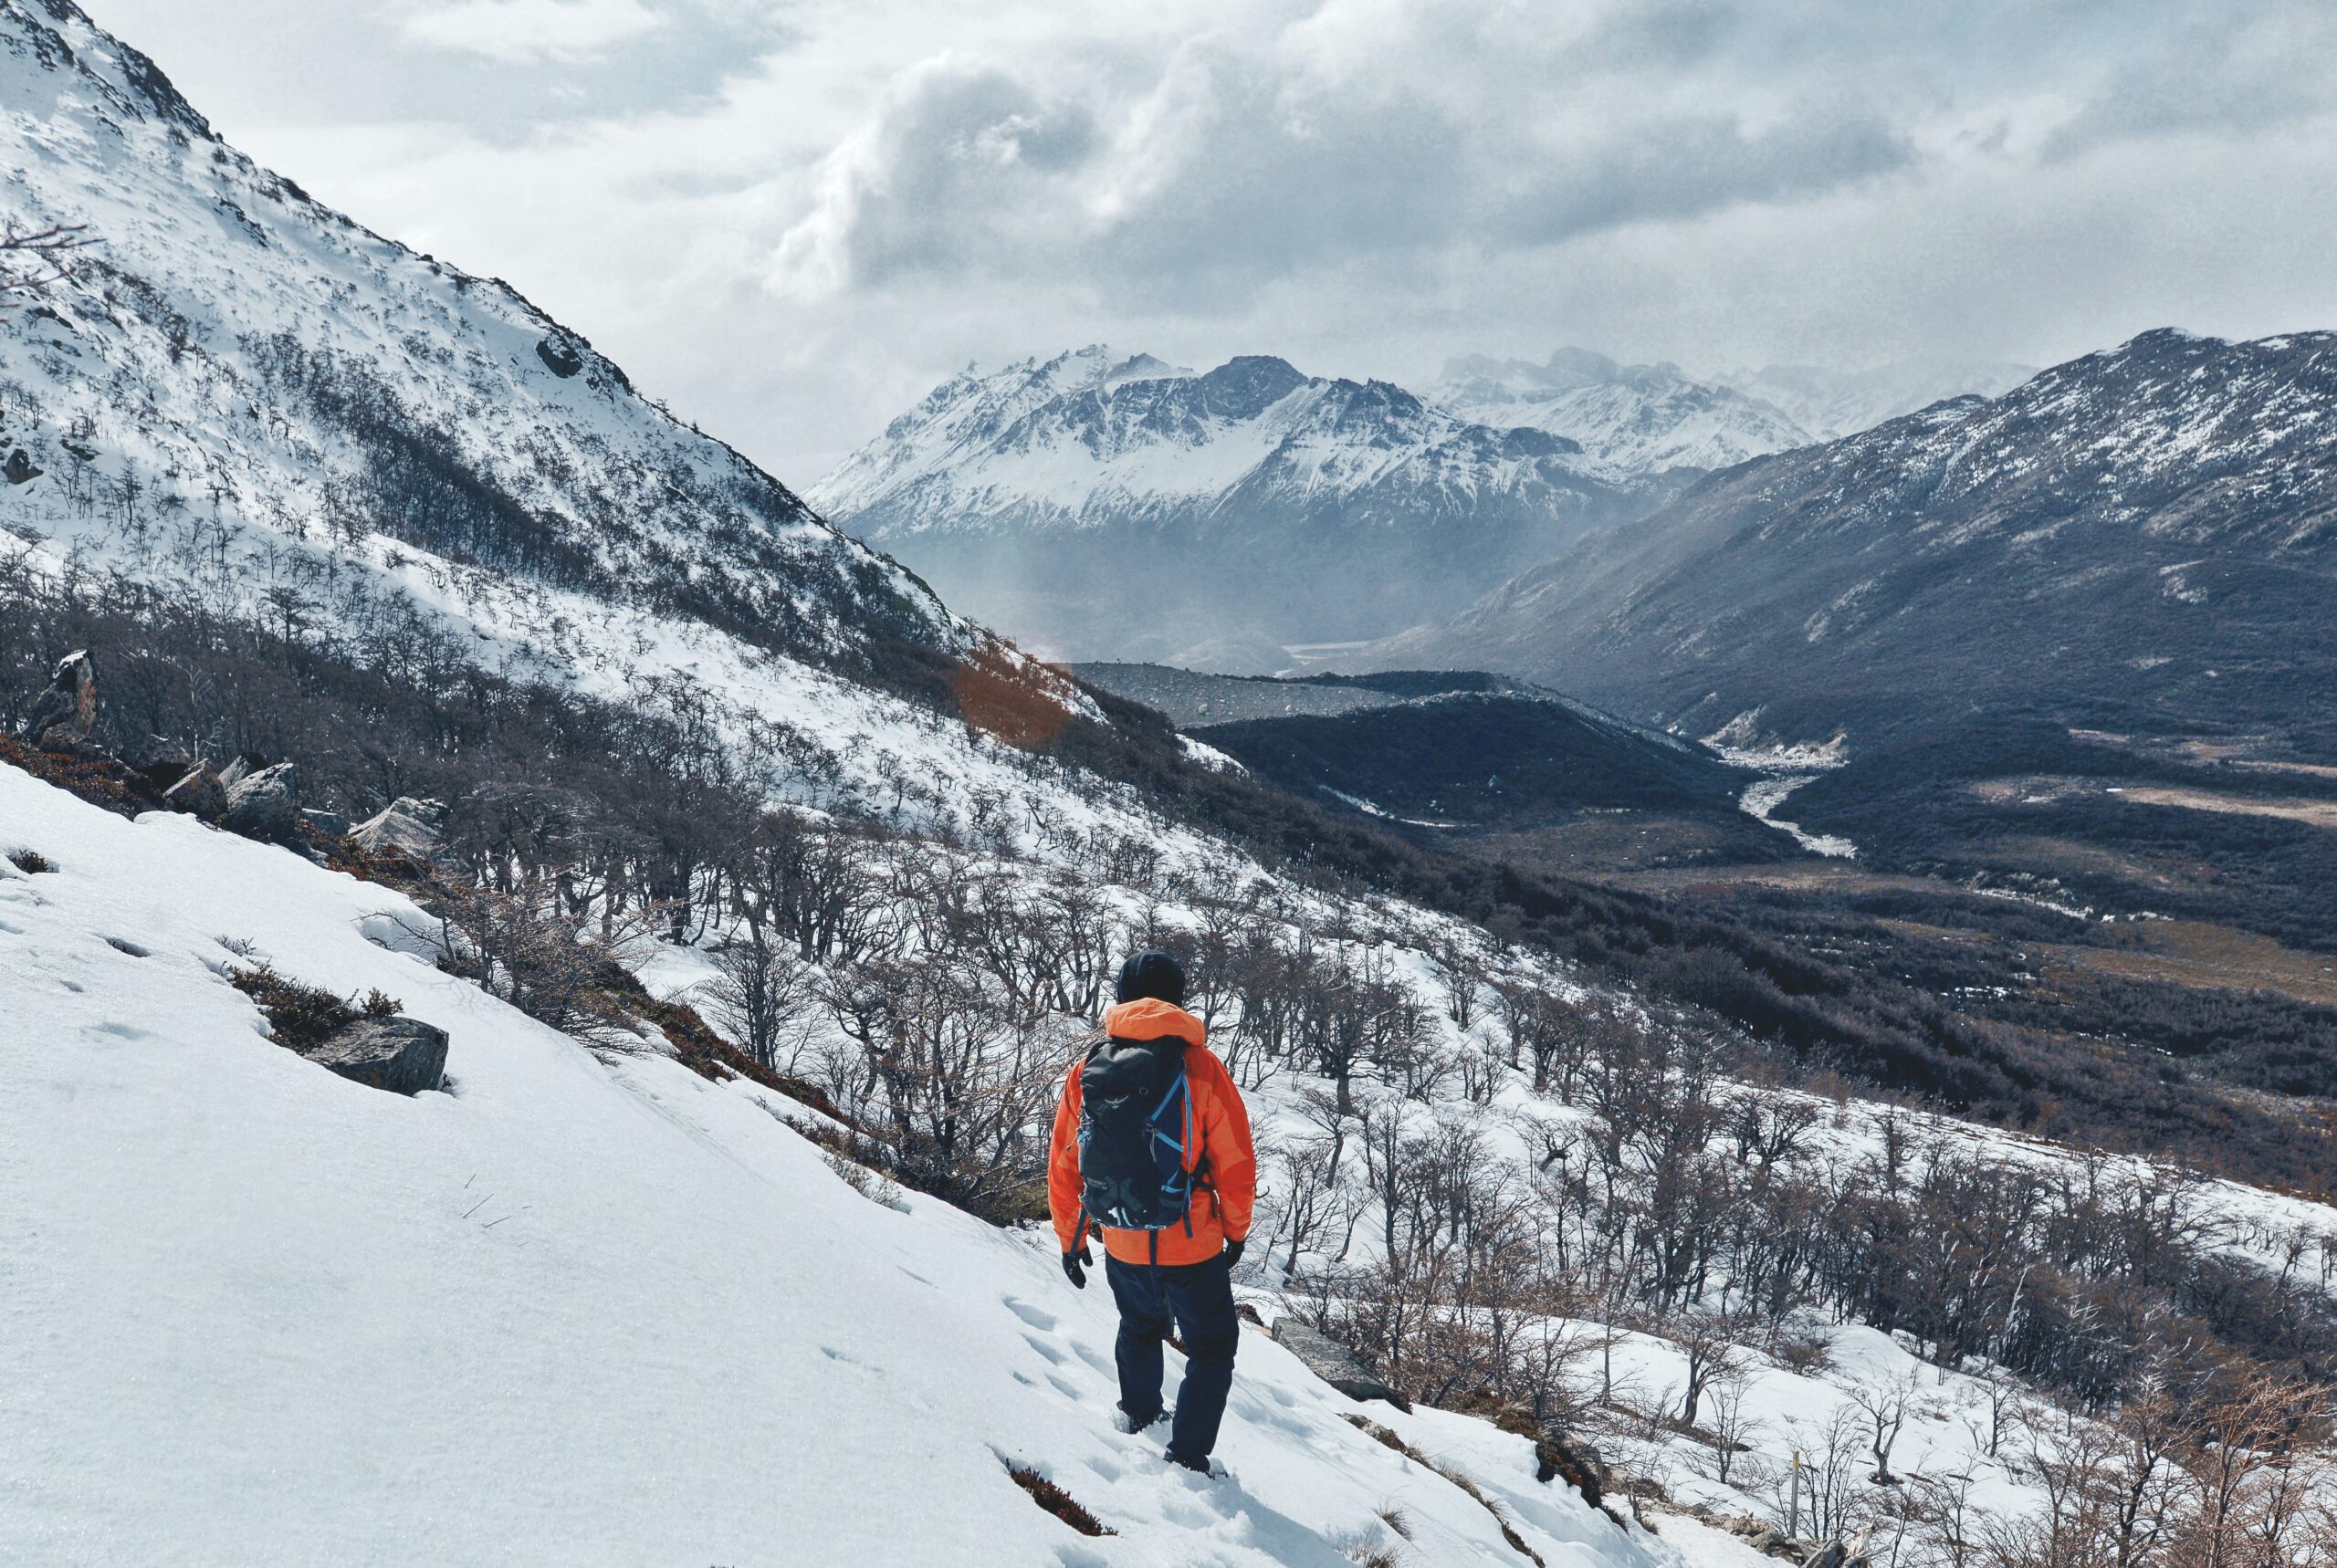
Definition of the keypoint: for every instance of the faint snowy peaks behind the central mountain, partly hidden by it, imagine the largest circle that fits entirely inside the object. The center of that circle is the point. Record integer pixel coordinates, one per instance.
(1642, 419)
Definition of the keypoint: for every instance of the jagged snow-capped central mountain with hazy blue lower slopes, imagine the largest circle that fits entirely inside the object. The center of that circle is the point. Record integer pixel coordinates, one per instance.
(1111, 506)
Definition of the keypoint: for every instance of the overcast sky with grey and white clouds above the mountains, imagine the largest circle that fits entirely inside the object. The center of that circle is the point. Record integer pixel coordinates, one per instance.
(791, 218)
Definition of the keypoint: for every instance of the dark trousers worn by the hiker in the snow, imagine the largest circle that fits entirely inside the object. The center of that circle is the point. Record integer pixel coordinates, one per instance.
(1200, 1300)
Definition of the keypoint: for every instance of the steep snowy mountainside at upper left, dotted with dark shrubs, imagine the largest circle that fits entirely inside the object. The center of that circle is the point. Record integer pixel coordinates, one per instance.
(244, 370)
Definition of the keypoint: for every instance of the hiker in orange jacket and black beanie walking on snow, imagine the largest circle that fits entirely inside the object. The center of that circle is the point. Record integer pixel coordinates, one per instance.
(1153, 1146)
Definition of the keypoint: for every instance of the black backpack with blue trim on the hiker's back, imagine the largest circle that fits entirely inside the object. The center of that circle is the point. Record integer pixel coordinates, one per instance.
(1135, 1109)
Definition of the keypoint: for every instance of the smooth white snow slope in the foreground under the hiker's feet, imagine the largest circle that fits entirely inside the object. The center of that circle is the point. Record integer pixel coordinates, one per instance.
(562, 1312)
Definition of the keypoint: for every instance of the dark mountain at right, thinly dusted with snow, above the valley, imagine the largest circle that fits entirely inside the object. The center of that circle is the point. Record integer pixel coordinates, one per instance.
(2144, 536)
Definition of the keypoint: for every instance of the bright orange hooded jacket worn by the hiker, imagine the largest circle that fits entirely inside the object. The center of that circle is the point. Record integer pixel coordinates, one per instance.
(1221, 1212)
